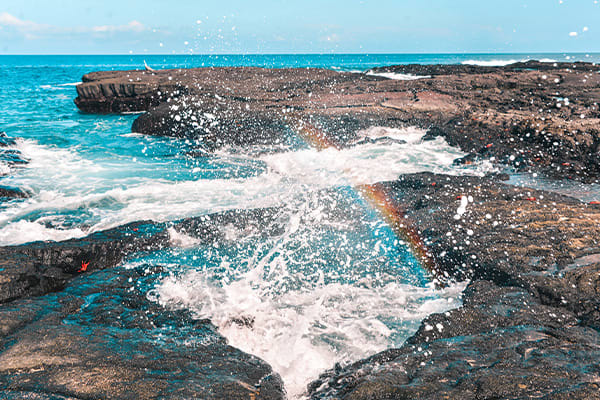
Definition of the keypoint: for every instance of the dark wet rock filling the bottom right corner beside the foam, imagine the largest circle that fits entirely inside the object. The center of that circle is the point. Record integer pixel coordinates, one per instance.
(490, 358)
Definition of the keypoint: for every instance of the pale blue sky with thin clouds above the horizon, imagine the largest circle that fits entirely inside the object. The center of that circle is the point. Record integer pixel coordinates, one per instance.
(307, 26)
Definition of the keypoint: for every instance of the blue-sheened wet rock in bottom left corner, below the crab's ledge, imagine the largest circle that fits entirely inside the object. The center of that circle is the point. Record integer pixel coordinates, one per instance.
(101, 338)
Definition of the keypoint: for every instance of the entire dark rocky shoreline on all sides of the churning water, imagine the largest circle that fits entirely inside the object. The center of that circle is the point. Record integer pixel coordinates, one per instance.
(530, 323)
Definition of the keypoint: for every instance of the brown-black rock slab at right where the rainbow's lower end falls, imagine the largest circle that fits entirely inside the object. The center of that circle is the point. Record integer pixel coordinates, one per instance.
(541, 241)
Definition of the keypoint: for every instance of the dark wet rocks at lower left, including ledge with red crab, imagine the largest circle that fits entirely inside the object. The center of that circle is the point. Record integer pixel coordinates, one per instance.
(100, 337)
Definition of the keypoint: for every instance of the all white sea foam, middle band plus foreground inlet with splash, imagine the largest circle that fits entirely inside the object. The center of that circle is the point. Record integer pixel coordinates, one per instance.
(299, 321)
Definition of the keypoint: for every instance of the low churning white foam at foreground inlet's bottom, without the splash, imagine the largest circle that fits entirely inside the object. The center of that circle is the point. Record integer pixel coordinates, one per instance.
(303, 332)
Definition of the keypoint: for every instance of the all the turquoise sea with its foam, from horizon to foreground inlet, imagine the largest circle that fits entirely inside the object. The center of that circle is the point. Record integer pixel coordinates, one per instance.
(336, 282)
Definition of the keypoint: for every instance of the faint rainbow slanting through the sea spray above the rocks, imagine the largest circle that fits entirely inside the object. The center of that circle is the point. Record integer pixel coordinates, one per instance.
(376, 195)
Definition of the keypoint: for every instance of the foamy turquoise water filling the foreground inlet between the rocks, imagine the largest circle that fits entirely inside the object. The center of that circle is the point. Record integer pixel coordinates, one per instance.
(324, 291)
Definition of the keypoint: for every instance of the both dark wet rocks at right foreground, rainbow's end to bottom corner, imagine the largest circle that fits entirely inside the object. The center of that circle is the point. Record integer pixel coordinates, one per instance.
(529, 326)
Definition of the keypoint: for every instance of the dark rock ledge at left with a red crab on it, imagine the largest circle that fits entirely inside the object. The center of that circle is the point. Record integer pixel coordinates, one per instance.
(37, 268)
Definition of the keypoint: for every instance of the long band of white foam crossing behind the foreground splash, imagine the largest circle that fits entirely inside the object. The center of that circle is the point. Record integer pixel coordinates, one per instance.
(89, 195)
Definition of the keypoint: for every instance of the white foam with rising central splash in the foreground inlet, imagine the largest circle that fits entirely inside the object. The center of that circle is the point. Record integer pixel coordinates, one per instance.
(302, 323)
